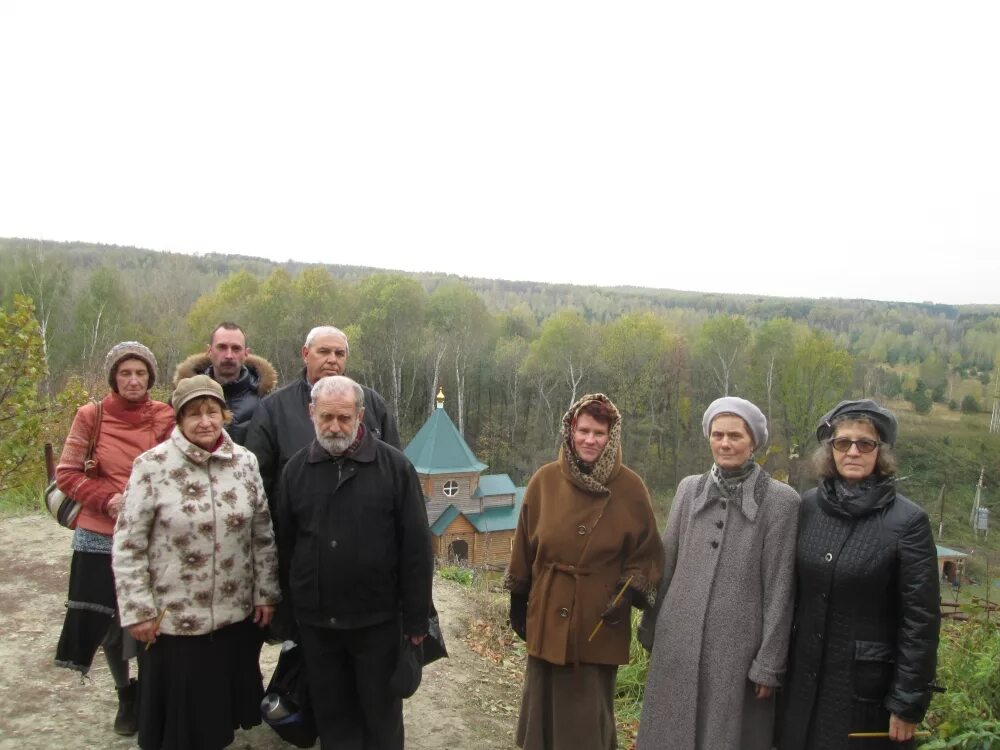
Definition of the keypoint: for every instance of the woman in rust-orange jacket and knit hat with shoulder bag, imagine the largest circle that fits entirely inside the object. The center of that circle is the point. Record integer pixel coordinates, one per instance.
(122, 425)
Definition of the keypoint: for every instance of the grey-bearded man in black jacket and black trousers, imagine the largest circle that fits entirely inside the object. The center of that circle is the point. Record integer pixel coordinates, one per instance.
(356, 566)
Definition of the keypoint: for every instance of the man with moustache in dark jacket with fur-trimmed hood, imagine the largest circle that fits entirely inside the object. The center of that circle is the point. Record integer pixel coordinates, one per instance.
(245, 378)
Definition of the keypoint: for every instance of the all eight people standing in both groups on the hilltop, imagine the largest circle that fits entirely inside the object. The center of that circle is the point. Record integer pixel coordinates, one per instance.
(771, 621)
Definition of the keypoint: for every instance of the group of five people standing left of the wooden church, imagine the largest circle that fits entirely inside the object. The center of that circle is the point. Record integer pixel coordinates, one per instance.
(201, 517)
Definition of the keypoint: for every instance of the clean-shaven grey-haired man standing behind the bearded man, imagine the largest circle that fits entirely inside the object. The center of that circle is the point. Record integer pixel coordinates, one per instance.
(281, 424)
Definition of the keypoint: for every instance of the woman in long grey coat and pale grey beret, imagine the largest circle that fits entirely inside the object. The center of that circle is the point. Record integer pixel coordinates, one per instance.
(719, 633)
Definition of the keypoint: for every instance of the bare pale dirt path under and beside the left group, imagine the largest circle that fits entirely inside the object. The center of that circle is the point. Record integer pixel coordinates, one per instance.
(464, 702)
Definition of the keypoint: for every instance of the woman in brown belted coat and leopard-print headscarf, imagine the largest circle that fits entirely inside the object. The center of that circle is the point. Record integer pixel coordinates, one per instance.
(585, 551)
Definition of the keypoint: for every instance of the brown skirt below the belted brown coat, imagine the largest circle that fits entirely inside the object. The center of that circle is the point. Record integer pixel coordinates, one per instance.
(567, 708)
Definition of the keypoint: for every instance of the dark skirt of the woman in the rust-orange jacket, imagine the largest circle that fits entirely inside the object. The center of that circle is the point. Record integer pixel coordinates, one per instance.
(91, 615)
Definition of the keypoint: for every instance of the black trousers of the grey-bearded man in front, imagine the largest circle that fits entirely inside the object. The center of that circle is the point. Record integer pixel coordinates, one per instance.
(348, 673)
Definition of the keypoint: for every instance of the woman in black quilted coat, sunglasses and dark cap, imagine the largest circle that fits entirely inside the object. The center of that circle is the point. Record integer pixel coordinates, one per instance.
(867, 615)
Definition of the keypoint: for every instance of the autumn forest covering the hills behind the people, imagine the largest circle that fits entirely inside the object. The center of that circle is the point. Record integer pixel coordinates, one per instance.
(511, 356)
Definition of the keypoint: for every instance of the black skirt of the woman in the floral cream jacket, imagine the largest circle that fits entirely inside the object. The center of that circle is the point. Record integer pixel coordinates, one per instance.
(196, 690)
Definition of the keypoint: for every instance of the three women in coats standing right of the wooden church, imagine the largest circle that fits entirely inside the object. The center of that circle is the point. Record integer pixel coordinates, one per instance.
(771, 621)
